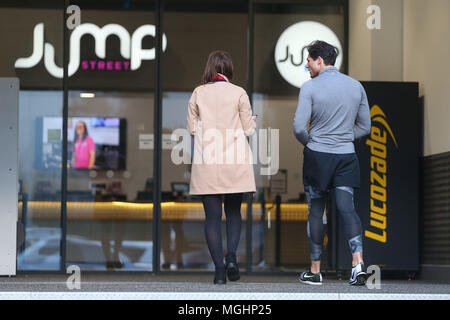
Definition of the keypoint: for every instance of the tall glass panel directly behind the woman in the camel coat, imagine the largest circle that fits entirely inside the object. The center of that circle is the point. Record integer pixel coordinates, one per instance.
(191, 36)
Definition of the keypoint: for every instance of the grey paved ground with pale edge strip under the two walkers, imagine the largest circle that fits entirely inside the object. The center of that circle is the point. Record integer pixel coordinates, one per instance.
(179, 286)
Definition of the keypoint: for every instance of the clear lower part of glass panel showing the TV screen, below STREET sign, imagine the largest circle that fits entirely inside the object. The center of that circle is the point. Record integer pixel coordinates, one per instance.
(109, 204)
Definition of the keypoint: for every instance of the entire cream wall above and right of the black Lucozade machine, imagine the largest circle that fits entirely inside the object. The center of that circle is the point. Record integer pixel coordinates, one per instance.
(412, 45)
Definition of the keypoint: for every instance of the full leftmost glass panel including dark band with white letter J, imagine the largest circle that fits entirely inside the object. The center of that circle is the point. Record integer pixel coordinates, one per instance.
(40, 144)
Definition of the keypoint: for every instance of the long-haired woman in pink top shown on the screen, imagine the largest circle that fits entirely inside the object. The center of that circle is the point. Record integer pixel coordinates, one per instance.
(84, 148)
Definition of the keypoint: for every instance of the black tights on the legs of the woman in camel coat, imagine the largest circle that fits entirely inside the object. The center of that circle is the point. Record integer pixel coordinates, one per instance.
(212, 203)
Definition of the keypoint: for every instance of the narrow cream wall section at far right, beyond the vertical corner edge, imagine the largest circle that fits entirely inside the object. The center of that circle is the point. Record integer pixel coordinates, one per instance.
(426, 60)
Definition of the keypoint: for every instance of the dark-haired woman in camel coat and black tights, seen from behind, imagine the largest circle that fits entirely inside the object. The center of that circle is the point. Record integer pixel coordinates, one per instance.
(220, 118)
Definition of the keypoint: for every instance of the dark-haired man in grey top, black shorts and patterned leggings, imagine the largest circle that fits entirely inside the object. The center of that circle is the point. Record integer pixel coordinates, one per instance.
(336, 107)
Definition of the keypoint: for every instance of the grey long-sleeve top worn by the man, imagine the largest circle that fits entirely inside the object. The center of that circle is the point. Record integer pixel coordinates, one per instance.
(336, 107)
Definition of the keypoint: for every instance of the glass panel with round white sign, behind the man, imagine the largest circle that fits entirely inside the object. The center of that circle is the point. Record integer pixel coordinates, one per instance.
(281, 34)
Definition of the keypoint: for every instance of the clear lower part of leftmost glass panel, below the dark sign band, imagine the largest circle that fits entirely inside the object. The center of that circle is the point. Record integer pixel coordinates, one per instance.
(39, 181)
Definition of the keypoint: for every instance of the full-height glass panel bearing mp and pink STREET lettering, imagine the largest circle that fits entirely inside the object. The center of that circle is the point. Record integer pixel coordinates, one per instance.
(110, 134)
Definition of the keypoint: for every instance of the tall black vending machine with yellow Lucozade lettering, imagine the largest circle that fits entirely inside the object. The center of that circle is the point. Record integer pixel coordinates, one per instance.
(388, 201)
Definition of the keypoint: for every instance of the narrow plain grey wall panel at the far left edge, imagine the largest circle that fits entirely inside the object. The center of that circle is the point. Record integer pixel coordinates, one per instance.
(9, 106)
